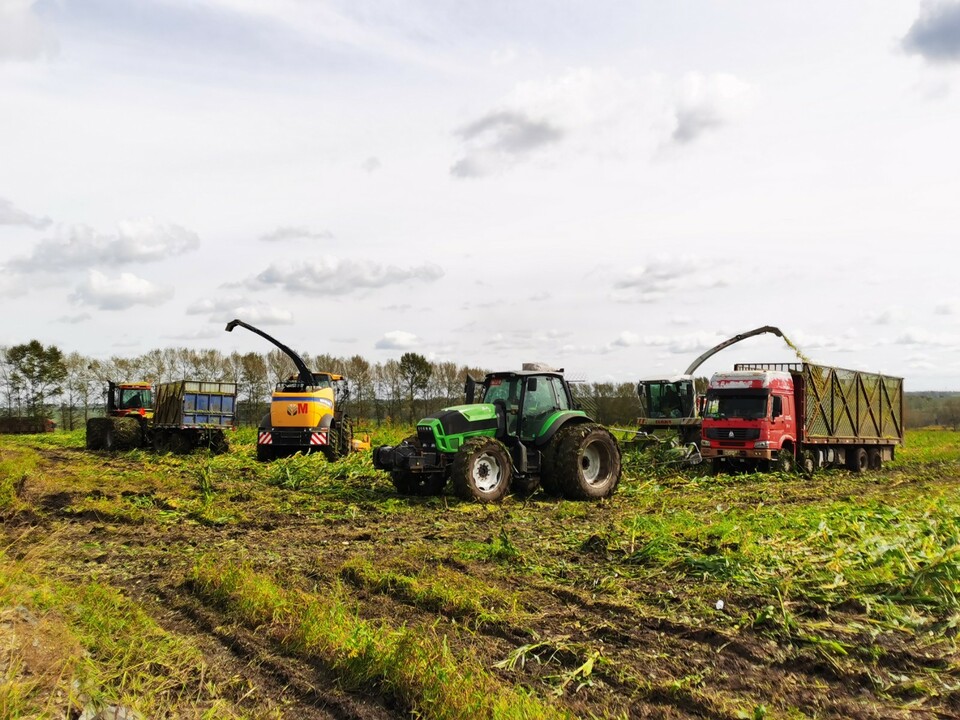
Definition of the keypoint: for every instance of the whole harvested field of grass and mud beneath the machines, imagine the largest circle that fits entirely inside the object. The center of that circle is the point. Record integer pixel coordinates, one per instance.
(216, 586)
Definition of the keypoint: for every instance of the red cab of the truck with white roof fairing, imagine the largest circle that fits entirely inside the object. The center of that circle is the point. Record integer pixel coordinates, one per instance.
(750, 420)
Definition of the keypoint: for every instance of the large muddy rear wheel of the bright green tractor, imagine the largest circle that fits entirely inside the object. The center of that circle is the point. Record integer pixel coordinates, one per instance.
(587, 462)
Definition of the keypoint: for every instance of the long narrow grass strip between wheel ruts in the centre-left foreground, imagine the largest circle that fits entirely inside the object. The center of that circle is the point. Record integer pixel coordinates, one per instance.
(416, 669)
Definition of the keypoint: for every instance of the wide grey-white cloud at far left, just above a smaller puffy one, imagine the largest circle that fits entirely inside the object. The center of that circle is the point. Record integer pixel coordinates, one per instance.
(136, 241)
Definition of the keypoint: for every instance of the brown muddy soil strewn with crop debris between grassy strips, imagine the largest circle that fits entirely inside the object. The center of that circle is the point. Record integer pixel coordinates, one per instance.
(657, 656)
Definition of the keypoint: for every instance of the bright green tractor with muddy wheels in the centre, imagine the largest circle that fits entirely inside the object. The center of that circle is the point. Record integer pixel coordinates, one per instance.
(525, 432)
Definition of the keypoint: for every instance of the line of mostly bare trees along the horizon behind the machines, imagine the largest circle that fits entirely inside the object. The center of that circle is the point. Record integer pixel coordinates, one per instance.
(43, 381)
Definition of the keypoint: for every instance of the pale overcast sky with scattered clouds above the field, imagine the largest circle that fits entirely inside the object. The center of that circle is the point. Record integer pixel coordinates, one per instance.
(607, 187)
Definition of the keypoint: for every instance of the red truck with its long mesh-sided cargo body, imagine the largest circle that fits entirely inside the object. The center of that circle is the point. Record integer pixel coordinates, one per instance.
(776, 416)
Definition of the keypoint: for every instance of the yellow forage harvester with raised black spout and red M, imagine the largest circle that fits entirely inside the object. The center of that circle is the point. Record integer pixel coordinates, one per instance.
(306, 411)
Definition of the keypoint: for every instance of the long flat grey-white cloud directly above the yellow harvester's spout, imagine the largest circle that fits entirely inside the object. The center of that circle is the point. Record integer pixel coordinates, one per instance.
(331, 276)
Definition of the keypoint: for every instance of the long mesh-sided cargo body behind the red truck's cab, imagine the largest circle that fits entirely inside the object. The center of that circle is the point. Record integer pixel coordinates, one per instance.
(844, 406)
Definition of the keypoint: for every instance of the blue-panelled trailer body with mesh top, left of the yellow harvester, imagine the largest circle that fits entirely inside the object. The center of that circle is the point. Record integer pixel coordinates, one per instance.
(195, 404)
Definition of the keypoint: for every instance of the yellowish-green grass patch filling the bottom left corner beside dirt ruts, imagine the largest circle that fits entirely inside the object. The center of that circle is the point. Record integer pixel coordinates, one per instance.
(86, 646)
